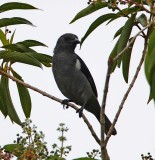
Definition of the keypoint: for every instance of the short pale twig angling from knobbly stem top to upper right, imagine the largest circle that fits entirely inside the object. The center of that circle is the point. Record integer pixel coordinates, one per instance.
(132, 40)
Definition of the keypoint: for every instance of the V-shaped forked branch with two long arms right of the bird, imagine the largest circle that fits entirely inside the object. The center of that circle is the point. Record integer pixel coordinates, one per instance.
(110, 62)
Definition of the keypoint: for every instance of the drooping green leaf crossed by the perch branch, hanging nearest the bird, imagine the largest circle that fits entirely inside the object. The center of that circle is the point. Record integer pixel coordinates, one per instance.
(24, 95)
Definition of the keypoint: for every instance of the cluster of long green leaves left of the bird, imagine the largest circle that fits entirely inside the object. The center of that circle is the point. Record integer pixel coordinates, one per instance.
(11, 53)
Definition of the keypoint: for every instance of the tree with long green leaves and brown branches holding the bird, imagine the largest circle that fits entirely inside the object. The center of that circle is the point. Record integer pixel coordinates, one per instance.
(139, 14)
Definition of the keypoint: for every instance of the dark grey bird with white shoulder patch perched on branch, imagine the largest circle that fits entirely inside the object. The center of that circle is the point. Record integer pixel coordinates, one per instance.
(74, 79)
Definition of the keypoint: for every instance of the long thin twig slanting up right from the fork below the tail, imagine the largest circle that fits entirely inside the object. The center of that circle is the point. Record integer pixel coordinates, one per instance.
(127, 93)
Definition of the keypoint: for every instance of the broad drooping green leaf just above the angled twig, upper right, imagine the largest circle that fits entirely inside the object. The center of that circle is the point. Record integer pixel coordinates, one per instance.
(125, 34)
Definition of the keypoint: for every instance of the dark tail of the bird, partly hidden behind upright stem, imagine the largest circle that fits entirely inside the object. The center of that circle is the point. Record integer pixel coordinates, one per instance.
(95, 109)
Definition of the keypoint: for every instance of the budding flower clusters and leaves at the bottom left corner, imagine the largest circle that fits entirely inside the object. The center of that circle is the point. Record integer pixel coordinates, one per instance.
(31, 144)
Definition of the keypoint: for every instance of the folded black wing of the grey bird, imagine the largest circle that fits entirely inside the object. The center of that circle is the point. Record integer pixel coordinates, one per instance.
(88, 75)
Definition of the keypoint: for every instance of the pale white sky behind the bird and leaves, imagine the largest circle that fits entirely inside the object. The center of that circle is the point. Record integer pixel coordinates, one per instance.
(135, 125)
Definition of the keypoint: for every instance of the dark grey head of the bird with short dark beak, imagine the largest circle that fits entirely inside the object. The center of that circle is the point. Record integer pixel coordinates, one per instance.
(67, 42)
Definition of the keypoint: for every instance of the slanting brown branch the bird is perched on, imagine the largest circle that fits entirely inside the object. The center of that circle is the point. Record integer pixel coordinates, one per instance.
(53, 98)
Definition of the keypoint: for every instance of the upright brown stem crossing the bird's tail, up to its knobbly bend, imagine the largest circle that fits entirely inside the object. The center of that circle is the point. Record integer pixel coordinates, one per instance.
(102, 117)
